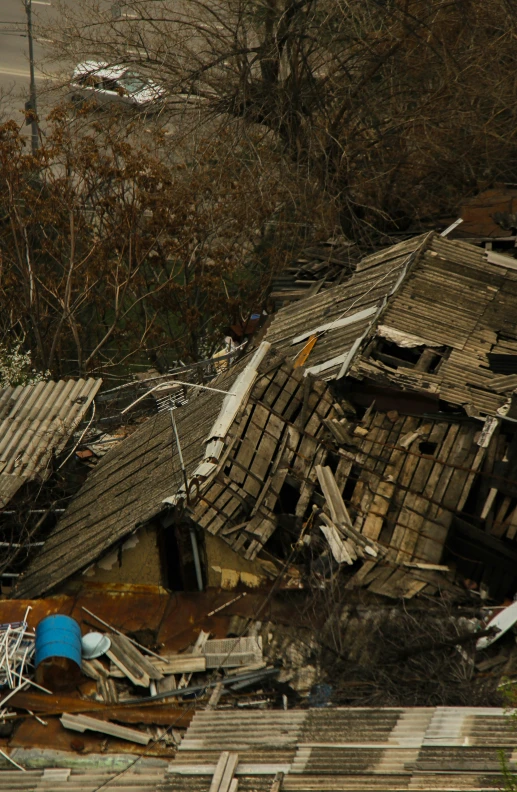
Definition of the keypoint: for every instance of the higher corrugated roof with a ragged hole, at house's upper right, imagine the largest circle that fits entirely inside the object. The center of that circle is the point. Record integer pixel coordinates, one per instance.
(438, 292)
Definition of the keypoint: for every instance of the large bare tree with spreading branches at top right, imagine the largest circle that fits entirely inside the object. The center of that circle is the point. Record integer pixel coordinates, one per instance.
(394, 107)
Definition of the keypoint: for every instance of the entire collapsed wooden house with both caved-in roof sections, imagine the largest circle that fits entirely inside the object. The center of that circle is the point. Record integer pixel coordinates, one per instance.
(403, 466)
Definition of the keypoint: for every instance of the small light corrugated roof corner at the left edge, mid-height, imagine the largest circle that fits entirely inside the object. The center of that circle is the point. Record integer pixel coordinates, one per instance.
(36, 421)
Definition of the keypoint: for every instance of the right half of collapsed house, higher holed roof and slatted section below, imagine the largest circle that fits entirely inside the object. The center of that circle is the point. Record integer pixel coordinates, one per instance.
(424, 338)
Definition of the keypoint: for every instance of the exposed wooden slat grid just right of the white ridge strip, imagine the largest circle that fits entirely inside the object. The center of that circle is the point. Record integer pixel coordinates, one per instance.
(276, 441)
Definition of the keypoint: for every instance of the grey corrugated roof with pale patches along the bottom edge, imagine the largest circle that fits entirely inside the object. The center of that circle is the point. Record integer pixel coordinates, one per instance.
(442, 748)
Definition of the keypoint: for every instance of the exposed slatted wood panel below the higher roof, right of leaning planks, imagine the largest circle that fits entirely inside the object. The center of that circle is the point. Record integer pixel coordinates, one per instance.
(411, 475)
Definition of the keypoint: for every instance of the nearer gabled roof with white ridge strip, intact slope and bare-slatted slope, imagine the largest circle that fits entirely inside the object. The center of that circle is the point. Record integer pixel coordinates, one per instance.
(247, 447)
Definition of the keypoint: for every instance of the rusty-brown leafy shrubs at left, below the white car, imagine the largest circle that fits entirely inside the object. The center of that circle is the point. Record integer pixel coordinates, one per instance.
(113, 249)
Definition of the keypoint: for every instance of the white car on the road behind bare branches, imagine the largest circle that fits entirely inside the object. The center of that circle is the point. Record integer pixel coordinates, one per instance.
(102, 83)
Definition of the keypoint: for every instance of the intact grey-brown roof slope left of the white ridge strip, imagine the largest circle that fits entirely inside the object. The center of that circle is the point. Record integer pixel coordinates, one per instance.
(125, 489)
